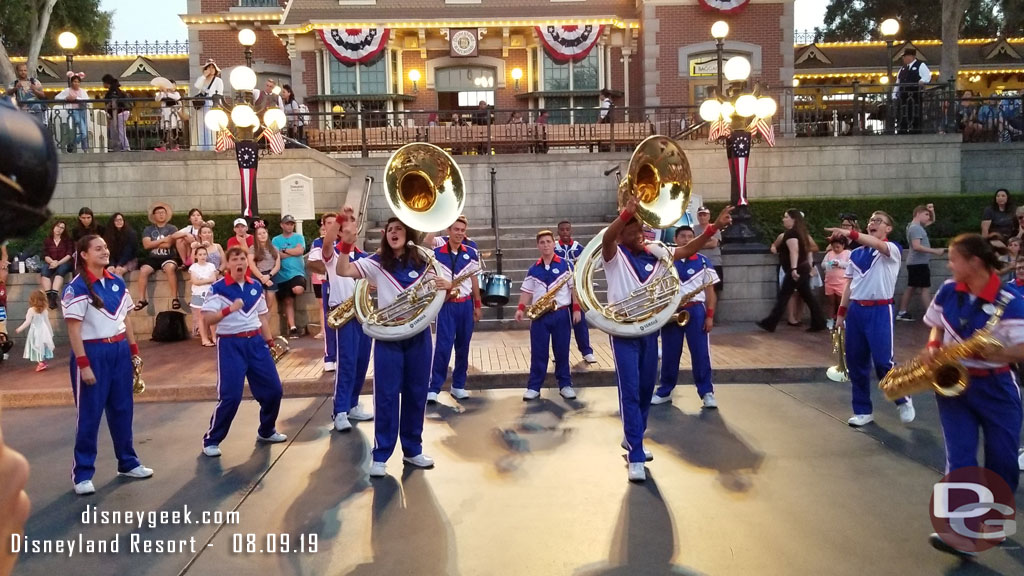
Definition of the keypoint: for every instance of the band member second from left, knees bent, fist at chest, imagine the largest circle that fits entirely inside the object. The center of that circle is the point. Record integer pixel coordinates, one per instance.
(237, 305)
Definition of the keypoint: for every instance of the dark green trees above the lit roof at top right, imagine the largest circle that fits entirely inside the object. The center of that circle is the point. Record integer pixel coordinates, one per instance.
(860, 20)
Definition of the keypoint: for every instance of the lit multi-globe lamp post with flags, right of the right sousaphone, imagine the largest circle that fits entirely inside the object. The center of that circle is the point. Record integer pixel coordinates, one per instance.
(733, 113)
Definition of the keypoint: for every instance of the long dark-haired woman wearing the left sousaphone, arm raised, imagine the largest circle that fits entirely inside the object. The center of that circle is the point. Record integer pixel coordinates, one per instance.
(401, 380)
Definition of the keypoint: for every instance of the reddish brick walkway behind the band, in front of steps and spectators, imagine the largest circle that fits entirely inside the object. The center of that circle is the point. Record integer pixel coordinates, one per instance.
(187, 372)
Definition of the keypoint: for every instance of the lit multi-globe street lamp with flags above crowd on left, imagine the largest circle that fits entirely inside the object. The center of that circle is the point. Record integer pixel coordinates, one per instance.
(240, 128)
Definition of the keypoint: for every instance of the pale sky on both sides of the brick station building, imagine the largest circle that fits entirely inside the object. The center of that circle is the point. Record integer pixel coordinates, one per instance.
(158, 20)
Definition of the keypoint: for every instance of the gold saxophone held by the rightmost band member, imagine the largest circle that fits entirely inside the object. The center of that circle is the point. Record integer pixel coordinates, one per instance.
(944, 373)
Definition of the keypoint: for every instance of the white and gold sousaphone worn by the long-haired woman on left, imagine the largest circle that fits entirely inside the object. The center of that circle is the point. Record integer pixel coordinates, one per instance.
(425, 190)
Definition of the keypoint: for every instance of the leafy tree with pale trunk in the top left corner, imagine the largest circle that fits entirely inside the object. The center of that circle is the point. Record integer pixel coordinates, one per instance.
(30, 28)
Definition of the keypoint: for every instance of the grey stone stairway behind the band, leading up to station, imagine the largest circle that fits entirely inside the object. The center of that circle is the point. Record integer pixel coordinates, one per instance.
(519, 254)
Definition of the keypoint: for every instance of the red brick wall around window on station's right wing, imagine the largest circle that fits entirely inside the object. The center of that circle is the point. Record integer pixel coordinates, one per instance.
(681, 26)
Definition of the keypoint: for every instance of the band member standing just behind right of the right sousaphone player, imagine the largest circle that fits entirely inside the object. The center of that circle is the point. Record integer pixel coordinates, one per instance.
(694, 272)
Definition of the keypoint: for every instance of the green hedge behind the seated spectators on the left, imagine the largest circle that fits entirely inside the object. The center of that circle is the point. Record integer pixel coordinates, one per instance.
(33, 245)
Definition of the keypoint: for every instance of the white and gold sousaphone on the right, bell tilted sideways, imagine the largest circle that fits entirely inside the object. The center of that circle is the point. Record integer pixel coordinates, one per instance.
(659, 178)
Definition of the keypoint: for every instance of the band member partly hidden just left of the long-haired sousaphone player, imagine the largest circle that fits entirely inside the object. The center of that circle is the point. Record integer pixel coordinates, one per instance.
(352, 345)
